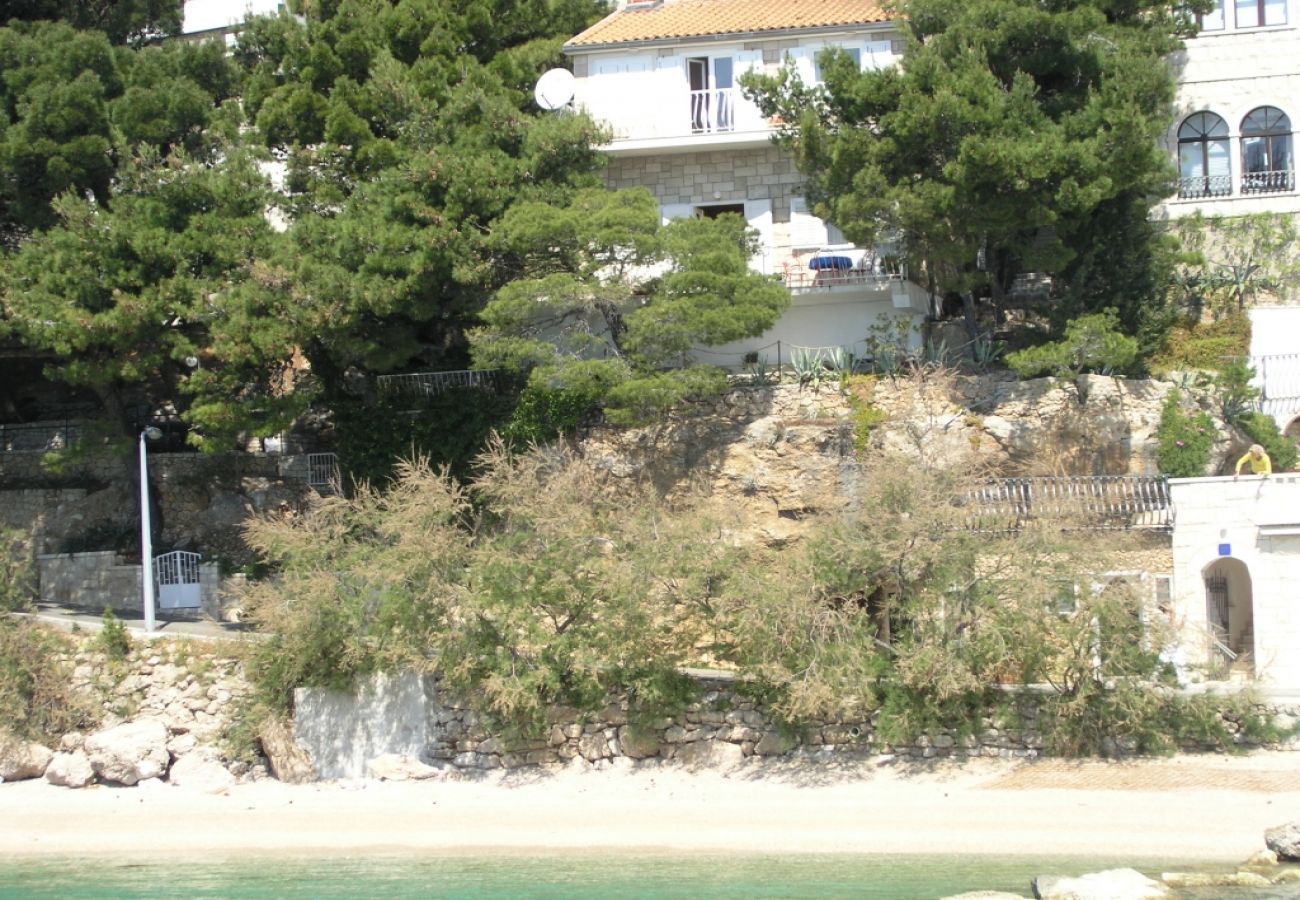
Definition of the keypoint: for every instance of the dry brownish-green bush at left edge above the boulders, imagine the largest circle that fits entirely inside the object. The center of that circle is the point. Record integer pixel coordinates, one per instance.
(37, 702)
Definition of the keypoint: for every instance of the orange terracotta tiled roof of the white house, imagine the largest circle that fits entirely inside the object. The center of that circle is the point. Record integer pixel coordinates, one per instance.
(691, 19)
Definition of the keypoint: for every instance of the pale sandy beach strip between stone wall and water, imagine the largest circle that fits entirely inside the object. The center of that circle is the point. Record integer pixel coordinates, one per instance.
(1194, 808)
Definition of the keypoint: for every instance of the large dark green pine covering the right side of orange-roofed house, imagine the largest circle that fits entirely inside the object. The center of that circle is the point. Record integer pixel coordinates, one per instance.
(1013, 137)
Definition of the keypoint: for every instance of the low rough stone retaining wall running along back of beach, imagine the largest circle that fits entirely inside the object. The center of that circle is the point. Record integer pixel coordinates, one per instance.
(409, 717)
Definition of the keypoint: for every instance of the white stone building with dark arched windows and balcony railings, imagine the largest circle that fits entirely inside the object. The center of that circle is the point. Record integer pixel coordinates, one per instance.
(1237, 110)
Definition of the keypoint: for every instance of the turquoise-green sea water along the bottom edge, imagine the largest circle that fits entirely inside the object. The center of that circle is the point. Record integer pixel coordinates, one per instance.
(553, 876)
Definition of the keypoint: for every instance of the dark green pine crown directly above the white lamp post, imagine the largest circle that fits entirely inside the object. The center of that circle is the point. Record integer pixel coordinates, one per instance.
(123, 296)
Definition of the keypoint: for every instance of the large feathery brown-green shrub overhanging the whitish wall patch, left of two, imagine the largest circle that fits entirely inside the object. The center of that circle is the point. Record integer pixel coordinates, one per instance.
(551, 591)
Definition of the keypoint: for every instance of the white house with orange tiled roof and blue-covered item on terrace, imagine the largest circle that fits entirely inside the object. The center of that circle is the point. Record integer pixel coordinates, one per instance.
(664, 77)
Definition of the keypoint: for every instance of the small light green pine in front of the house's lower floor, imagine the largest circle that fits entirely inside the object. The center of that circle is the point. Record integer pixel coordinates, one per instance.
(608, 293)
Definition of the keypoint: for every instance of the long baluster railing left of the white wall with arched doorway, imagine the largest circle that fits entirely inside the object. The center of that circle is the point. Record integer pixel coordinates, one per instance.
(1081, 501)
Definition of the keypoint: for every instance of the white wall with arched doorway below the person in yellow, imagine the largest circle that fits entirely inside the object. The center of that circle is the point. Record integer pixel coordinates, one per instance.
(1249, 531)
